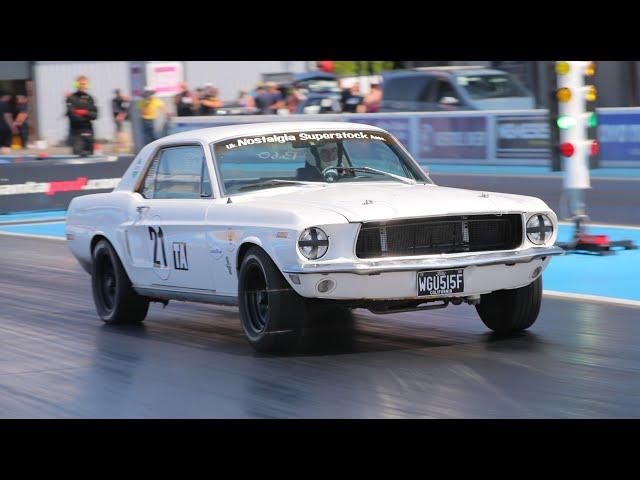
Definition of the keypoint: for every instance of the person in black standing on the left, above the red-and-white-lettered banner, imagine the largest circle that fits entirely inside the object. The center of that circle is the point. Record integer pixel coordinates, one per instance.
(82, 111)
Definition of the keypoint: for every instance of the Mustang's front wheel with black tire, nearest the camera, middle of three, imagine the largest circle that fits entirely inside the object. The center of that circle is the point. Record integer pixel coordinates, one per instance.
(272, 314)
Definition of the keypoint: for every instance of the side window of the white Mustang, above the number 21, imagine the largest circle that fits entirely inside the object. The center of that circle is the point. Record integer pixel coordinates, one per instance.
(177, 173)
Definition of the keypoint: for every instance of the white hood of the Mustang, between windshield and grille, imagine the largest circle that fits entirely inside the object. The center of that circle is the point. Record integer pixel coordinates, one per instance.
(379, 201)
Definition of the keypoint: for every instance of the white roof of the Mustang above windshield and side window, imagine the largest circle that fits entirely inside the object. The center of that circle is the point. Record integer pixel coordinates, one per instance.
(214, 134)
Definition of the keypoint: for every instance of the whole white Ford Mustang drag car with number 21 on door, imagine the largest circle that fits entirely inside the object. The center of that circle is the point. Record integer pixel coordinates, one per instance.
(296, 223)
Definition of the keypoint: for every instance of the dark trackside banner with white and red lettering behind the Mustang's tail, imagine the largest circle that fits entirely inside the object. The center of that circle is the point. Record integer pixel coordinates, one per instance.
(51, 184)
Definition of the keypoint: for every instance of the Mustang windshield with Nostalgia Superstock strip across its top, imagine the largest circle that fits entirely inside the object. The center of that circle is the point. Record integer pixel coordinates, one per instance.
(298, 158)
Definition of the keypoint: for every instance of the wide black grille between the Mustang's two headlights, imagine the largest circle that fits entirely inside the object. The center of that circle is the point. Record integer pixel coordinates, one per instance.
(439, 235)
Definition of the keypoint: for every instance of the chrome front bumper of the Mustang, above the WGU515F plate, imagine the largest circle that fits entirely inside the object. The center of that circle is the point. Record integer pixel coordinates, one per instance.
(366, 267)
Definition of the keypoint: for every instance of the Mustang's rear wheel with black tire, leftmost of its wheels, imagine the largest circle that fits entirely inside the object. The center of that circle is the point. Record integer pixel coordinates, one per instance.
(116, 301)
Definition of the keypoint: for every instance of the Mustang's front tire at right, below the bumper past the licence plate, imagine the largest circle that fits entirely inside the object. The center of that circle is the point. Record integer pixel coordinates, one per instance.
(509, 311)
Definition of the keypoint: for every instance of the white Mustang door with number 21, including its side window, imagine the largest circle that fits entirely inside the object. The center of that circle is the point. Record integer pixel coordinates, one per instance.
(167, 238)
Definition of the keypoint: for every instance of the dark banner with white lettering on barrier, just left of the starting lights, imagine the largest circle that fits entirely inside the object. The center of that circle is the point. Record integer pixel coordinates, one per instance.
(522, 136)
